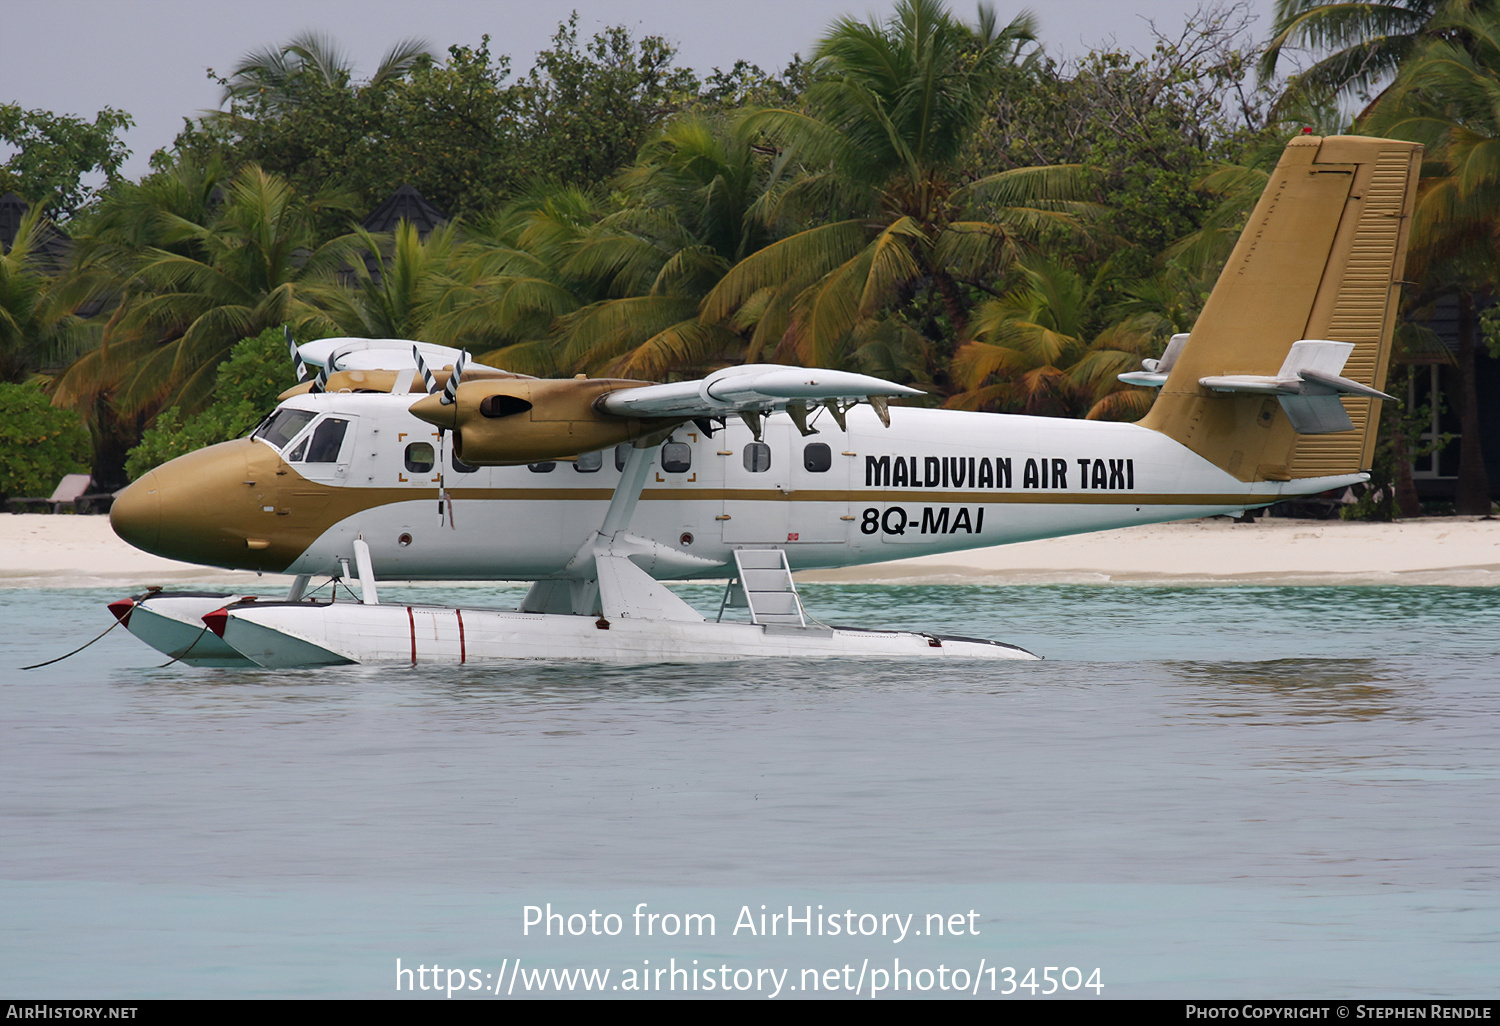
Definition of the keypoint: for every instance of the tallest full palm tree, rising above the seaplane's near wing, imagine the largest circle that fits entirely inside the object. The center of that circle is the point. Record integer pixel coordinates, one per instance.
(887, 118)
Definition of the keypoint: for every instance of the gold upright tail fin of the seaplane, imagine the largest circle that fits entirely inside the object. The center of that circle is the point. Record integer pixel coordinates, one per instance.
(1321, 260)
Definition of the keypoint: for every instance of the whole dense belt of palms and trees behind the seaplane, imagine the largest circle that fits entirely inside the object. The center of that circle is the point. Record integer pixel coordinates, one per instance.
(926, 197)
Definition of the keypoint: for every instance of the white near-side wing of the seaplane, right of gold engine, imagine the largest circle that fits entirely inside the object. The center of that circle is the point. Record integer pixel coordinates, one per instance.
(751, 389)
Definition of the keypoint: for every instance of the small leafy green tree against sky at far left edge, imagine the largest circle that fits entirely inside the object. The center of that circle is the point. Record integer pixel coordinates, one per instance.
(55, 152)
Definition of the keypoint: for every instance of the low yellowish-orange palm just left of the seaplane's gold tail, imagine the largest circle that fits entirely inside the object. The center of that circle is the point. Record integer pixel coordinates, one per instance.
(1033, 356)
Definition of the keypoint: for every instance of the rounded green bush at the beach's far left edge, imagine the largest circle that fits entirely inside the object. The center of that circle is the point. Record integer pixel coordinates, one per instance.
(38, 442)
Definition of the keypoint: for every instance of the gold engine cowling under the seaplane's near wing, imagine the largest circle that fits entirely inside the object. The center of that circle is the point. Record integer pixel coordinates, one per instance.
(533, 419)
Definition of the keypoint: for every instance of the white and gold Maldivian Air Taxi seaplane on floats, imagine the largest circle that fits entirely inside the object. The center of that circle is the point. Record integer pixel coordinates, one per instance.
(404, 461)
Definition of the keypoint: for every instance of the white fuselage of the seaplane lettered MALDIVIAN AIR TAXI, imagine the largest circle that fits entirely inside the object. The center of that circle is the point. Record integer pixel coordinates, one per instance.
(935, 482)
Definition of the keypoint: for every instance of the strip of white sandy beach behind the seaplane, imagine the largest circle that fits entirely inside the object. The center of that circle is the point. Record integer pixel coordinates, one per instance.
(40, 551)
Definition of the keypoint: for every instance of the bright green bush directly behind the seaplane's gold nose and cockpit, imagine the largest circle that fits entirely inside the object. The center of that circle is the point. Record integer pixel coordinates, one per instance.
(245, 391)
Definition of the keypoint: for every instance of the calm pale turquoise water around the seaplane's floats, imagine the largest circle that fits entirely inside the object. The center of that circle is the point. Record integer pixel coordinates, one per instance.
(1201, 793)
